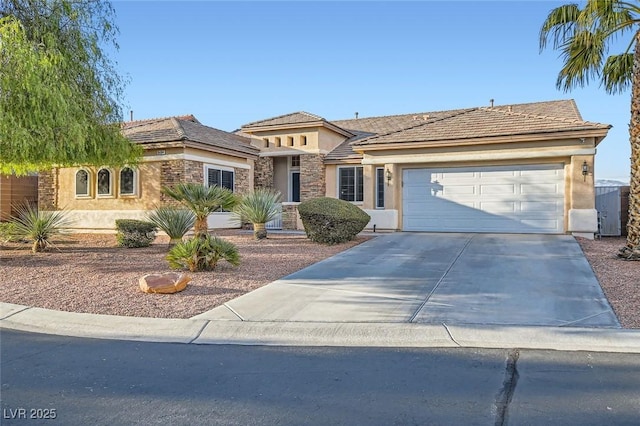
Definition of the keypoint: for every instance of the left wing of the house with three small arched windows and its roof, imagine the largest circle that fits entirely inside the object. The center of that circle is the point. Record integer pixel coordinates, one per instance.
(176, 149)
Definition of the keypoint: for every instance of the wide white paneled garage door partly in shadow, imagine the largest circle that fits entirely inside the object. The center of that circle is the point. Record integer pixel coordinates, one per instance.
(502, 199)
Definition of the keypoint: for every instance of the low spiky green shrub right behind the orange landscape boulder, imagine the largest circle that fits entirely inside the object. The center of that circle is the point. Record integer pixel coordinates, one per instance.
(202, 253)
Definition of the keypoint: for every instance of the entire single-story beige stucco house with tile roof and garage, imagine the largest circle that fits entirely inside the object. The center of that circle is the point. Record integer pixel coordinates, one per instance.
(521, 168)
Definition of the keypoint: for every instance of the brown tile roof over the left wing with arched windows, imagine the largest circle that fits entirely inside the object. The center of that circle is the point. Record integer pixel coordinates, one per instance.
(186, 129)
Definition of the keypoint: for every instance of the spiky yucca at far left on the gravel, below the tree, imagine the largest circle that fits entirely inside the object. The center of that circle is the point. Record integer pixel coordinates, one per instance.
(39, 226)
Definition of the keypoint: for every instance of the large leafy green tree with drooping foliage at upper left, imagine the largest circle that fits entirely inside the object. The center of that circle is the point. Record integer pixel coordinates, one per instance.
(60, 94)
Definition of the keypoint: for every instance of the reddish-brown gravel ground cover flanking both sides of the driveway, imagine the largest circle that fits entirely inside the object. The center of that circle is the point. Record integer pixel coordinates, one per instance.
(88, 273)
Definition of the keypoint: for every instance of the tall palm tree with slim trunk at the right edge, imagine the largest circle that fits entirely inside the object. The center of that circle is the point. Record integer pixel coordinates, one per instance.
(583, 36)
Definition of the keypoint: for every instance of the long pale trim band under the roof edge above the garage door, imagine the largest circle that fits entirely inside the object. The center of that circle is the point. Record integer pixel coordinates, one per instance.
(515, 154)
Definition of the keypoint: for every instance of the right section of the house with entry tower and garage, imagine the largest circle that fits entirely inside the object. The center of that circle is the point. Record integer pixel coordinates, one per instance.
(524, 168)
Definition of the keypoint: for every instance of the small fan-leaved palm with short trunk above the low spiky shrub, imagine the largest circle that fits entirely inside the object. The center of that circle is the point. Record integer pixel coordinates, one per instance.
(202, 201)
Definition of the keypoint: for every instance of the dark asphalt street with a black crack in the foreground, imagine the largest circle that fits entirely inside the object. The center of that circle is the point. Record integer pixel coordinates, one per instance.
(81, 381)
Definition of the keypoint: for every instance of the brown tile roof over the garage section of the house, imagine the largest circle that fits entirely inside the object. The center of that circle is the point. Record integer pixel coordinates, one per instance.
(504, 120)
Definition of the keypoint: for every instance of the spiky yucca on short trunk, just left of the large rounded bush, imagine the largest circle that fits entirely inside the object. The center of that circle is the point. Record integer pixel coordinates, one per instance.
(259, 207)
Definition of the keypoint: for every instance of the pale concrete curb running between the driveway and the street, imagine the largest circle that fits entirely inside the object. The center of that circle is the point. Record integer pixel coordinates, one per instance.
(206, 332)
